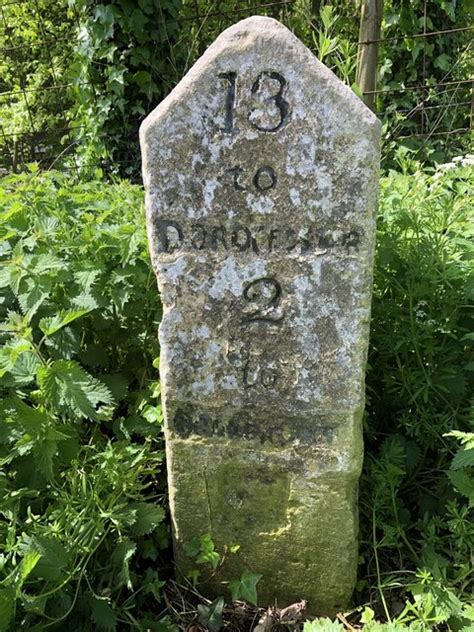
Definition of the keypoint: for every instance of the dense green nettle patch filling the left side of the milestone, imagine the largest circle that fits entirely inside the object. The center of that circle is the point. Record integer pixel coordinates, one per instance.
(81, 518)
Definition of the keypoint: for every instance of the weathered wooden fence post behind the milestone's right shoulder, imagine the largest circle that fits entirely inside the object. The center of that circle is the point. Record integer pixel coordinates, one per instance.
(369, 34)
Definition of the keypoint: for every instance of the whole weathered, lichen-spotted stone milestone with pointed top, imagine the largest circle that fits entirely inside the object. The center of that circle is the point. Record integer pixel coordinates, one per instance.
(261, 173)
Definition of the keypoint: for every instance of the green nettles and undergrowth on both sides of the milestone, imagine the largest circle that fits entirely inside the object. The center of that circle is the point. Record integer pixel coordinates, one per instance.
(83, 528)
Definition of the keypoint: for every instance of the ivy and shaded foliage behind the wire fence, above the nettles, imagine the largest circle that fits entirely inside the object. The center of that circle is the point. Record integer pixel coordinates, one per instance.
(78, 76)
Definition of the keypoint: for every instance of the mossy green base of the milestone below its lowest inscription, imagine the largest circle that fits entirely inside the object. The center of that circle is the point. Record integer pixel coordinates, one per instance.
(292, 512)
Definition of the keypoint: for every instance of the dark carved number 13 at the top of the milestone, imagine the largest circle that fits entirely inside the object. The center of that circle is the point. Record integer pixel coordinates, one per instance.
(277, 99)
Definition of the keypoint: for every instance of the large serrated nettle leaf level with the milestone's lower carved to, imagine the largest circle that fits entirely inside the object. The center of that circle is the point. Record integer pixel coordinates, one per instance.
(71, 390)
